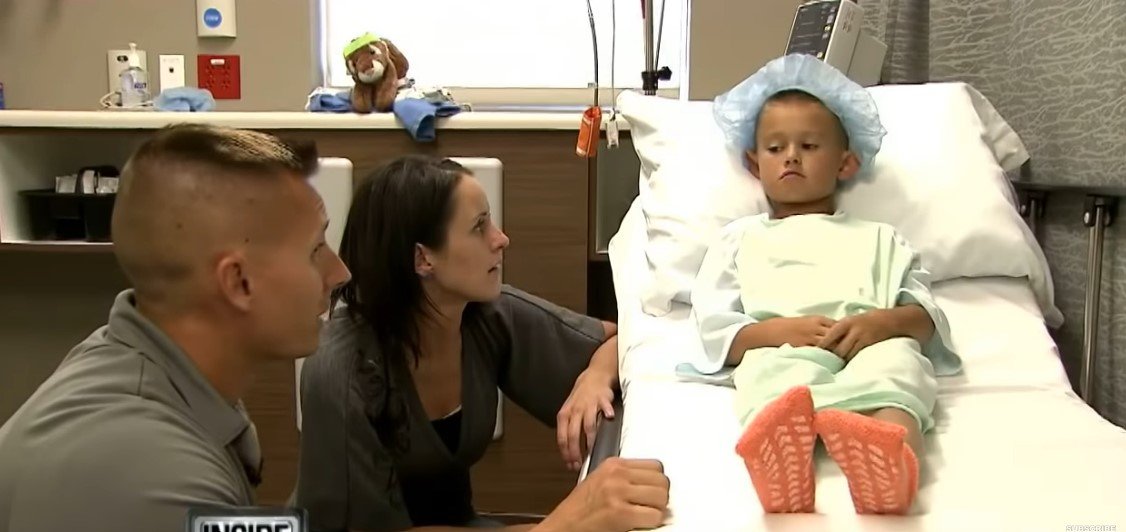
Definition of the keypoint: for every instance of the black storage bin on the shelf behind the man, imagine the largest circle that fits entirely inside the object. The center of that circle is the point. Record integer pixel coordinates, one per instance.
(69, 216)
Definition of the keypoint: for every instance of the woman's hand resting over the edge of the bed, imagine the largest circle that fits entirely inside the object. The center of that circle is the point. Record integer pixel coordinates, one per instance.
(578, 421)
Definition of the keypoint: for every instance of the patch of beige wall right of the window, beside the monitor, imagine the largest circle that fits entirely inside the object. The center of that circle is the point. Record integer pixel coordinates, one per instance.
(729, 40)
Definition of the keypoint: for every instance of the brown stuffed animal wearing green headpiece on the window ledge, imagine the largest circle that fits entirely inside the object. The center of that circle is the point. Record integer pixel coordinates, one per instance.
(378, 68)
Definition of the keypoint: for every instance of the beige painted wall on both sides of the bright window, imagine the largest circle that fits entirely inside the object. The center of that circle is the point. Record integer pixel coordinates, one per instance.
(280, 64)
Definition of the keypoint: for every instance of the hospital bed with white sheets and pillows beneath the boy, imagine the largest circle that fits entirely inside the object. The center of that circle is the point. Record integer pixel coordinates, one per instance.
(1014, 447)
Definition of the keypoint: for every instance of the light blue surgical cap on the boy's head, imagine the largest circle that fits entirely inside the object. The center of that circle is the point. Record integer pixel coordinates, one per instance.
(738, 111)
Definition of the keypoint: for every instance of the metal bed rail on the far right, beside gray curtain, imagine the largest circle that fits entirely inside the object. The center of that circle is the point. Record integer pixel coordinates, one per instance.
(1101, 209)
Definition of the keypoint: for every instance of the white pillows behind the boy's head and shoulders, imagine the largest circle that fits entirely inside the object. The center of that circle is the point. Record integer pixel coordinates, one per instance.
(939, 180)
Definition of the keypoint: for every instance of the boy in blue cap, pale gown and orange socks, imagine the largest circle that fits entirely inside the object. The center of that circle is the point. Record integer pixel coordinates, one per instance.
(829, 320)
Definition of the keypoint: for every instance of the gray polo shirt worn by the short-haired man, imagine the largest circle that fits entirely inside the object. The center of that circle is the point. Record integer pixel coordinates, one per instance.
(127, 435)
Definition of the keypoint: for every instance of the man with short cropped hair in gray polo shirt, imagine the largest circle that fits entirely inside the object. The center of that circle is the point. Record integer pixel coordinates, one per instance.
(222, 240)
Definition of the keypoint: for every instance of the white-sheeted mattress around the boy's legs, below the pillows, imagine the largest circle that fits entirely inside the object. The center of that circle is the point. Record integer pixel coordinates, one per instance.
(1014, 448)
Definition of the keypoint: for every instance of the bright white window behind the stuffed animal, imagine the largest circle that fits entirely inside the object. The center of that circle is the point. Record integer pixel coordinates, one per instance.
(510, 51)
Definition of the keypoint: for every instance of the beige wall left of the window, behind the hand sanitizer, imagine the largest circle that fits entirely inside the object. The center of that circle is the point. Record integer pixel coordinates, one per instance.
(53, 52)
